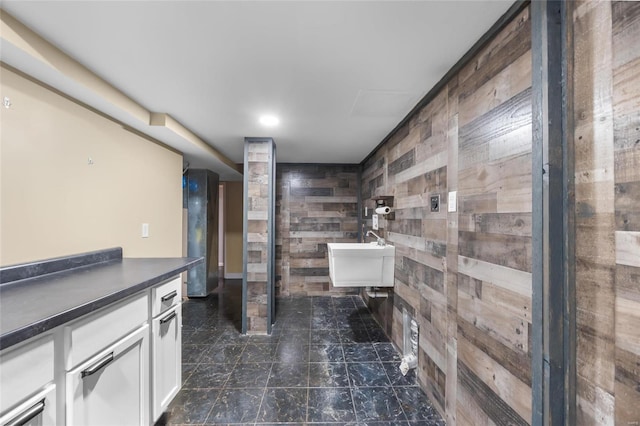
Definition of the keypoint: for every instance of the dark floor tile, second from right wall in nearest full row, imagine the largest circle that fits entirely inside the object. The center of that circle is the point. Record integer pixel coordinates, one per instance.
(377, 404)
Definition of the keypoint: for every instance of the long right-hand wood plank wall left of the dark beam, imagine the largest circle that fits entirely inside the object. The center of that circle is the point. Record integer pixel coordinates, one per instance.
(466, 276)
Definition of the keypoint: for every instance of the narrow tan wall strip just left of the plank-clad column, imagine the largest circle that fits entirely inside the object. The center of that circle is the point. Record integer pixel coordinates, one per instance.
(233, 237)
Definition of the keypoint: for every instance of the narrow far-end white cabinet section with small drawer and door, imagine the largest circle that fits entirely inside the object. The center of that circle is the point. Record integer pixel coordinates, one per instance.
(166, 345)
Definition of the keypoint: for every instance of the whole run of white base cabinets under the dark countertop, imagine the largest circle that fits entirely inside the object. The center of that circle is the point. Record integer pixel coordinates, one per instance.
(120, 365)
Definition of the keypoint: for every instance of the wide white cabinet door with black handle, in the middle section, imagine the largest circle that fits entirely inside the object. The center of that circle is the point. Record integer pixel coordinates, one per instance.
(112, 388)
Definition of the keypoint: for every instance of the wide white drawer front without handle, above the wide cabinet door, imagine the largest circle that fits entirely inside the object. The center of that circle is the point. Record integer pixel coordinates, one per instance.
(100, 329)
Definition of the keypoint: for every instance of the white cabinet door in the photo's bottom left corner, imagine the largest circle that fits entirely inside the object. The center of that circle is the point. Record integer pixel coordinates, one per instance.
(39, 410)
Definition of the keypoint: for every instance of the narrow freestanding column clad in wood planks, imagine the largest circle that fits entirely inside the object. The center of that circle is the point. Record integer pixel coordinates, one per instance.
(257, 175)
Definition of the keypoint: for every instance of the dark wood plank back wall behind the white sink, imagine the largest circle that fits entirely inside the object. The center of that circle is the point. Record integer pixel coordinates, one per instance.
(315, 204)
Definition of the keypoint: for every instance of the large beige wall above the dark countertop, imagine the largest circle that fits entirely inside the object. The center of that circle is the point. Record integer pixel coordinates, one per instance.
(53, 203)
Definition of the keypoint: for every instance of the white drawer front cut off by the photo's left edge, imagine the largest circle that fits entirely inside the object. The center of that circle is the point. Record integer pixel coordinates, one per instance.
(25, 370)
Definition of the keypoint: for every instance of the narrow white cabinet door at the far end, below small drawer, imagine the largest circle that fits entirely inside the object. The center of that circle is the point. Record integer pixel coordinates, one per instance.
(166, 359)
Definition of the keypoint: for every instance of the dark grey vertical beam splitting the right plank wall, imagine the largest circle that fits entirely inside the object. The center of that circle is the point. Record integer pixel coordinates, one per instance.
(553, 340)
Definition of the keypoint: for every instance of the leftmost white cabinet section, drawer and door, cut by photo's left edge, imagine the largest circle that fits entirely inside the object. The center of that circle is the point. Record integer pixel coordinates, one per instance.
(27, 384)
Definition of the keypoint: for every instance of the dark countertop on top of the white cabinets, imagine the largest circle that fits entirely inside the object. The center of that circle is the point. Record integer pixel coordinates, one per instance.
(39, 303)
